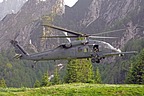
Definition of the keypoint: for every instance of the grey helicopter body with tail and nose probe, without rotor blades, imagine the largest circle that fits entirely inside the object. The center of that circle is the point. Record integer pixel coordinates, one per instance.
(74, 50)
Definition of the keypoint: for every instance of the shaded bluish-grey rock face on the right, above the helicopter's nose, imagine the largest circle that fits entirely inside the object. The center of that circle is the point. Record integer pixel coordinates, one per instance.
(94, 16)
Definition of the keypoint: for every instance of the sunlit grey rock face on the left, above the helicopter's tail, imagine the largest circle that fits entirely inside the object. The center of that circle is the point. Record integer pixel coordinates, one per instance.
(25, 25)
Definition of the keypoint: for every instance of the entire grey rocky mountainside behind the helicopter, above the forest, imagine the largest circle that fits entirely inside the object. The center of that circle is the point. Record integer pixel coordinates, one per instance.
(89, 16)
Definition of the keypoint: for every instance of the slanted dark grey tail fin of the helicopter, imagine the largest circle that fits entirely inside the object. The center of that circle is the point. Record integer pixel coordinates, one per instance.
(18, 49)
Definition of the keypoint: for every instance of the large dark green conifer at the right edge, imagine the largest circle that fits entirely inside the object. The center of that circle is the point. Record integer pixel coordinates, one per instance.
(136, 72)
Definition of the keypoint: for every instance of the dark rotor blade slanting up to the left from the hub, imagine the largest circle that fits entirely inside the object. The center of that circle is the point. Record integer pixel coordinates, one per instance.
(63, 29)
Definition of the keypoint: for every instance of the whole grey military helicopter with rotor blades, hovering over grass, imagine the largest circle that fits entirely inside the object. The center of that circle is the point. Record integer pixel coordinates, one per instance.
(78, 49)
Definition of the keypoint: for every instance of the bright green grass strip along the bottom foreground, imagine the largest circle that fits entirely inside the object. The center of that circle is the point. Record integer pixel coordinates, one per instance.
(77, 89)
